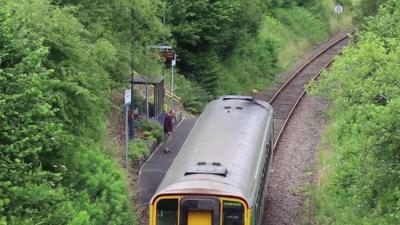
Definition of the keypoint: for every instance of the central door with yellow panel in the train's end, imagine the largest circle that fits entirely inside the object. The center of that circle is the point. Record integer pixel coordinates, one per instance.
(198, 210)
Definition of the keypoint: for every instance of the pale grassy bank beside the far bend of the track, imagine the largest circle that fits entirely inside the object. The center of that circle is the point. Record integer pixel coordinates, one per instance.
(294, 38)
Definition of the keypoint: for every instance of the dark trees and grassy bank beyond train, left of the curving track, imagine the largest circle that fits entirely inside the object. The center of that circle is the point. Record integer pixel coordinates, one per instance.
(232, 47)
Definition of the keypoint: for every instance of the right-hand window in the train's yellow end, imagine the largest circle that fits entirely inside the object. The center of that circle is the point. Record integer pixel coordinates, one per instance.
(233, 213)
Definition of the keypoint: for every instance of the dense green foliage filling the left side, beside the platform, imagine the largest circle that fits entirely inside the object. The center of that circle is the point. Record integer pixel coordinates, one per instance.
(53, 167)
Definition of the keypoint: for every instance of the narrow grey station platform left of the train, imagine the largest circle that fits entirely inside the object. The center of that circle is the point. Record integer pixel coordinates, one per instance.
(154, 169)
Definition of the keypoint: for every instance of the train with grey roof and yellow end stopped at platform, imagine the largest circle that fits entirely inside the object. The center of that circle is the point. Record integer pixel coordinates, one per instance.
(219, 174)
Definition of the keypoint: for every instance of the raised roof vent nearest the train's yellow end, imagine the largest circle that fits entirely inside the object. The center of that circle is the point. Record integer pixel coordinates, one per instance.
(214, 168)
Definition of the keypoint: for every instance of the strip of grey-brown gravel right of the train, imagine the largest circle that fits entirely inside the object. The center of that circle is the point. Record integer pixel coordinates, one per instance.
(293, 164)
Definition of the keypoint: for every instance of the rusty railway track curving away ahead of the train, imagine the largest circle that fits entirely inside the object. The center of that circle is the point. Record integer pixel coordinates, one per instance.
(288, 96)
